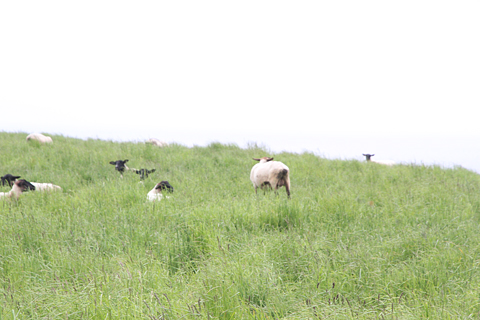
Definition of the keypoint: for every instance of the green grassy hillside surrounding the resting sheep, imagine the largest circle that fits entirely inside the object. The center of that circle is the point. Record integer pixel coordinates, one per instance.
(356, 241)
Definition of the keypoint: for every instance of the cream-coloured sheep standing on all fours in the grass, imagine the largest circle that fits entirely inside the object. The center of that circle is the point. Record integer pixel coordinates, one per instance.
(273, 174)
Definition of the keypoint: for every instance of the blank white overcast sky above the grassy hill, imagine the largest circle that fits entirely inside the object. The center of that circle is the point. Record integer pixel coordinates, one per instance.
(338, 78)
